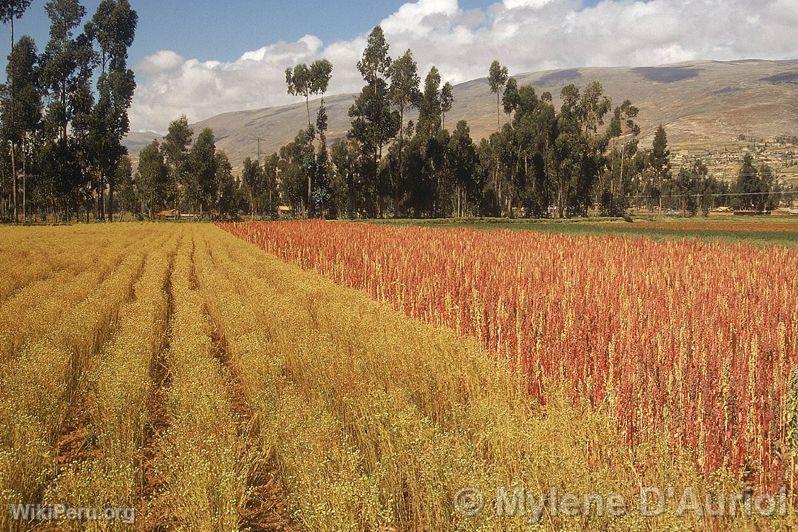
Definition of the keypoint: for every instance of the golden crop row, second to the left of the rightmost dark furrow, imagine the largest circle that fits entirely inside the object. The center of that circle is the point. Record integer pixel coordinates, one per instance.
(100, 450)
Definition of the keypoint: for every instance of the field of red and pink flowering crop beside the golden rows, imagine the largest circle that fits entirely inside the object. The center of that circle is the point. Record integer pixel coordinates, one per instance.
(688, 340)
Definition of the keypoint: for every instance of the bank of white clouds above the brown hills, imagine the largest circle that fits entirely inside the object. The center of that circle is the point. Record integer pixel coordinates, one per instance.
(526, 35)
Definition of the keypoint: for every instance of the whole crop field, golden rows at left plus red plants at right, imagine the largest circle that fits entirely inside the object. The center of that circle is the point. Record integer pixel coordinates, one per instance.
(174, 376)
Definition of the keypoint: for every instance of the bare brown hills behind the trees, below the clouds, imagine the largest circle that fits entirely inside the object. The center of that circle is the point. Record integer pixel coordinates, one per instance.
(697, 102)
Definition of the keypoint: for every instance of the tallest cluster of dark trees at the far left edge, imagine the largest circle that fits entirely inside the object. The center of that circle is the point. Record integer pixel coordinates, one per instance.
(65, 111)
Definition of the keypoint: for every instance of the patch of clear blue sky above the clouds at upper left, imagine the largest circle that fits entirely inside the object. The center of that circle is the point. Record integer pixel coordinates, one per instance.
(237, 25)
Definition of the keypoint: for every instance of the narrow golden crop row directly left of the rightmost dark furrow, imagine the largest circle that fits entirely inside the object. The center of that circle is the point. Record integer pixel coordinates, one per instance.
(201, 463)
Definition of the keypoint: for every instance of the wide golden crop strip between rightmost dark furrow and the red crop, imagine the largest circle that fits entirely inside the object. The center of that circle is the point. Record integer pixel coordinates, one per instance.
(375, 419)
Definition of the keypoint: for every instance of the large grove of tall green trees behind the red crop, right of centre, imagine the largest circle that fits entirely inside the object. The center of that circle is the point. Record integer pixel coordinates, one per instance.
(541, 160)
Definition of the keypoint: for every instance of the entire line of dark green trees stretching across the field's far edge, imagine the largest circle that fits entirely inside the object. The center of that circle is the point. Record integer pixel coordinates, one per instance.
(541, 161)
